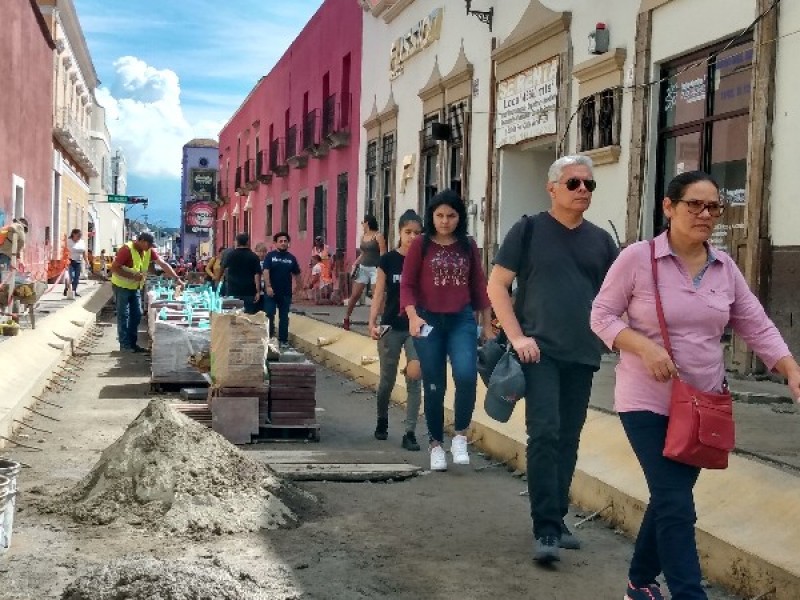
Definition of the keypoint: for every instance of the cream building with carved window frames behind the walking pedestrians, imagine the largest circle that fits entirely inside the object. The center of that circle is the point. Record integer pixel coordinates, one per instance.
(482, 96)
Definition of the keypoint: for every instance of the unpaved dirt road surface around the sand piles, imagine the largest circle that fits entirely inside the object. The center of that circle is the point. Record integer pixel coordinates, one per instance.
(460, 534)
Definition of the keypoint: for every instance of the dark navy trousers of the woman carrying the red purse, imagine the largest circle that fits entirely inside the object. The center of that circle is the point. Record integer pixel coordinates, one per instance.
(666, 540)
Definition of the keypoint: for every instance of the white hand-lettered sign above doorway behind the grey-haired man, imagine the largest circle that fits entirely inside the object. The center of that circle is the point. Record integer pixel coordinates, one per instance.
(526, 104)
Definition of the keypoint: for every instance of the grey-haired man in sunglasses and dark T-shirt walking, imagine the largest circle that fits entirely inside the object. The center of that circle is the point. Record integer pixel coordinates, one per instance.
(561, 268)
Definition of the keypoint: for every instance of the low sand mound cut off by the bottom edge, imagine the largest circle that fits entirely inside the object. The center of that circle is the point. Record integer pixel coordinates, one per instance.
(150, 579)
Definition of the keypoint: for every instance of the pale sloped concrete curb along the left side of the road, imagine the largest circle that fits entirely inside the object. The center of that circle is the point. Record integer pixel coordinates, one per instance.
(29, 359)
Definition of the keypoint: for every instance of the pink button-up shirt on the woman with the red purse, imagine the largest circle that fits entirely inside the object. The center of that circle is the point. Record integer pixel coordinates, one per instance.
(696, 318)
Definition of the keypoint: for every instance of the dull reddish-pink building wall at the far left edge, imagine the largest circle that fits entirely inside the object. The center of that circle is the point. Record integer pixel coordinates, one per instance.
(26, 126)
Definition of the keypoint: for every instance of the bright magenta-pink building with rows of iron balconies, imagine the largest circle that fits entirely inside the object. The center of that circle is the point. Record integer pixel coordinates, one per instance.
(289, 155)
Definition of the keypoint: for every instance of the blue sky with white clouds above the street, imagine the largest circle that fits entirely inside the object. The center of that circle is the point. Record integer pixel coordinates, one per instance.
(171, 71)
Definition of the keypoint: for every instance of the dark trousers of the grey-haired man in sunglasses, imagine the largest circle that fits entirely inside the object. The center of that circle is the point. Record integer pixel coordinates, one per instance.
(556, 400)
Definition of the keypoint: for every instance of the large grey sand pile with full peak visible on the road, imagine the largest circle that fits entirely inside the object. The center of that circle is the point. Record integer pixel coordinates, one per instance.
(169, 473)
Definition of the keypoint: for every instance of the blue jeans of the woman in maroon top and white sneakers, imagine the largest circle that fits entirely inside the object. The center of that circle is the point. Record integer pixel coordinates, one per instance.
(453, 336)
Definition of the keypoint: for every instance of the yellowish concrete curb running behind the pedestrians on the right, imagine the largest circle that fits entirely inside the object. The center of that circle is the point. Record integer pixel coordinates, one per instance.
(748, 529)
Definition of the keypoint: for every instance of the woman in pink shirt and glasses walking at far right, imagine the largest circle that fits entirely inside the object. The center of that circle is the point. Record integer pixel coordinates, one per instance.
(702, 293)
